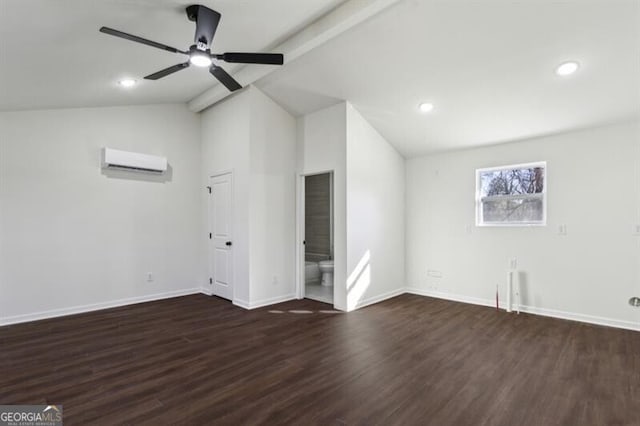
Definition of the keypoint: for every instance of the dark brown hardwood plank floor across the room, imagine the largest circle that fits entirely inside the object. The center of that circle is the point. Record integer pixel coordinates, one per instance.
(410, 360)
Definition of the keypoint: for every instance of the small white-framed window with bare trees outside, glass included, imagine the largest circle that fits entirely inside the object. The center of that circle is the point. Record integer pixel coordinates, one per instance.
(511, 195)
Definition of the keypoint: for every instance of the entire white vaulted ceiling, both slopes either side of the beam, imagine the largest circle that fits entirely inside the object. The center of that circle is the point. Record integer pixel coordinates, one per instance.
(487, 66)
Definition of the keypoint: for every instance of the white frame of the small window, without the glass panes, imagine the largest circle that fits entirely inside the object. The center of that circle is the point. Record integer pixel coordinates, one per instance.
(480, 199)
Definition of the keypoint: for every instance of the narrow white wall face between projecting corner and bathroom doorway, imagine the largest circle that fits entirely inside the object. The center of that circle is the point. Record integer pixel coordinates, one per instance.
(272, 211)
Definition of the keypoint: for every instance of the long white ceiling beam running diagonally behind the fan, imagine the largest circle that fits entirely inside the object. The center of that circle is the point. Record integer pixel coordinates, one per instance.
(334, 23)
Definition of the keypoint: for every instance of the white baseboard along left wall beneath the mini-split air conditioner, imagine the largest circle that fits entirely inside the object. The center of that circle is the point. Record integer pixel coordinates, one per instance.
(16, 319)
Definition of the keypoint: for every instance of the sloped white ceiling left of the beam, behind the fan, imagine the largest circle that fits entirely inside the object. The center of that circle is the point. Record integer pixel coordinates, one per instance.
(52, 55)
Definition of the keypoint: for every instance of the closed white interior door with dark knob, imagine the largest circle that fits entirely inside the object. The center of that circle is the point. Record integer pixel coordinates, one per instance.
(221, 243)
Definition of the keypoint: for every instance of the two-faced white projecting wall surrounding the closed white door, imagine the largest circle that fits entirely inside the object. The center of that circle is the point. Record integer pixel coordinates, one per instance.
(253, 136)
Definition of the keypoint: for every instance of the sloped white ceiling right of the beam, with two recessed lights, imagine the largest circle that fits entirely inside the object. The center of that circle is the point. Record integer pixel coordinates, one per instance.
(486, 66)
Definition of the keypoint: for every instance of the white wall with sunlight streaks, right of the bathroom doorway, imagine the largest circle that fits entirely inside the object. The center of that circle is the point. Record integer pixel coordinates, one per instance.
(375, 215)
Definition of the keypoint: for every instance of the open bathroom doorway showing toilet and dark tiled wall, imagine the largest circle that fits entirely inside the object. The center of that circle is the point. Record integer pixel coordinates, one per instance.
(317, 206)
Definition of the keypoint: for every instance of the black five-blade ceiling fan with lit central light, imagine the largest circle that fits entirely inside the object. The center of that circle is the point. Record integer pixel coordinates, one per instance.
(200, 53)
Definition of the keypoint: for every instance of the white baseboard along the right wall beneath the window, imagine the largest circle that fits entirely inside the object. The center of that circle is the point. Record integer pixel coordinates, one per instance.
(572, 316)
